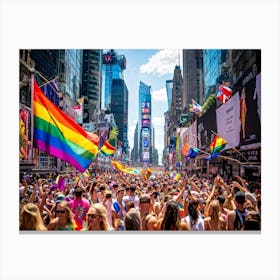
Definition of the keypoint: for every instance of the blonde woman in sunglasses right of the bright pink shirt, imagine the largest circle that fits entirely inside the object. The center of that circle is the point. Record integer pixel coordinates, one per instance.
(97, 218)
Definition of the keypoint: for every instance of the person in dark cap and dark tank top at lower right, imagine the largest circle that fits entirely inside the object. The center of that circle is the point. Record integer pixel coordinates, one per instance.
(236, 217)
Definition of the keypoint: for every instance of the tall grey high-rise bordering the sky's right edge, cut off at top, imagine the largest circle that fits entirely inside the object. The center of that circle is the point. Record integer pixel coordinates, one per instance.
(193, 77)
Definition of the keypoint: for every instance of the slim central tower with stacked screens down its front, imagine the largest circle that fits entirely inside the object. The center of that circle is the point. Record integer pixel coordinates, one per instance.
(145, 125)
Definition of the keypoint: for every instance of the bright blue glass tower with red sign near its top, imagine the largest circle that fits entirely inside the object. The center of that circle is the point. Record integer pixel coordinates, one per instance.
(112, 68)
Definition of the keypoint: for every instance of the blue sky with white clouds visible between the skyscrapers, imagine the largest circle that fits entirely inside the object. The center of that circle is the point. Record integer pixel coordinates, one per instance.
(153, 67)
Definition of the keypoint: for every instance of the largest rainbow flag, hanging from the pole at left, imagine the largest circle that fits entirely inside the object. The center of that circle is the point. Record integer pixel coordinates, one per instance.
(58, 135)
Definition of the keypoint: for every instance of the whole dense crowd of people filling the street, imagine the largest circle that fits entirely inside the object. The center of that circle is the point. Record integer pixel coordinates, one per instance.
(110, 200)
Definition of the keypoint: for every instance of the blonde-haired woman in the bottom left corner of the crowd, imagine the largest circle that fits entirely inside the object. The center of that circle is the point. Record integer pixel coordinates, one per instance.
(30, 218)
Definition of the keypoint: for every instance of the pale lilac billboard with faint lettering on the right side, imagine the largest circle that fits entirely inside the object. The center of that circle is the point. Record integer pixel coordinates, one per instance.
(228, 122)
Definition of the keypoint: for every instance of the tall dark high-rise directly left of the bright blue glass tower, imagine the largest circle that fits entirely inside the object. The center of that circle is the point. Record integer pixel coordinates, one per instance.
(91, 83)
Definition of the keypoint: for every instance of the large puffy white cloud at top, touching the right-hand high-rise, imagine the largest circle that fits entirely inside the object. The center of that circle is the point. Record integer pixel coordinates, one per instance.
(163, 62)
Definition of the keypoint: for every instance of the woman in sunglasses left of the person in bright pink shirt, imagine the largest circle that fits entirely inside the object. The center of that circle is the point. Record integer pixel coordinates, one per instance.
(64, 218)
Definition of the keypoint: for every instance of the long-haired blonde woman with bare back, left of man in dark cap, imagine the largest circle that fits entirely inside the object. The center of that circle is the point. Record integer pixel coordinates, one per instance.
(214, 220)
